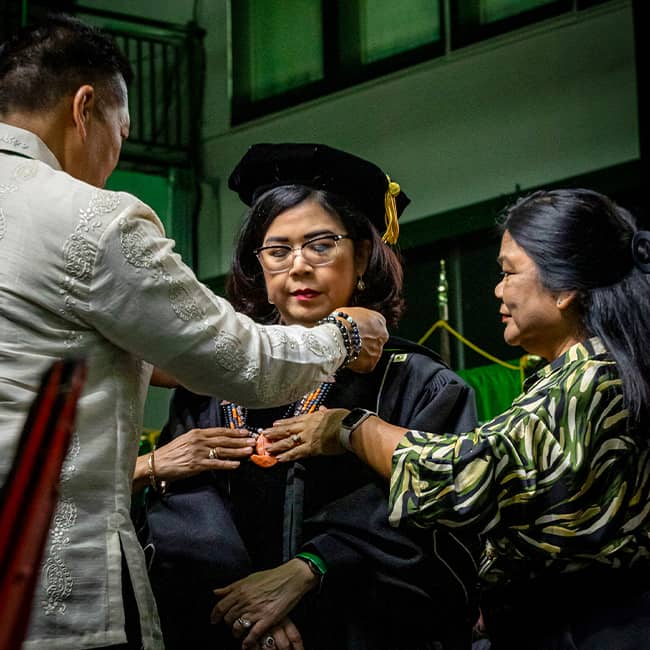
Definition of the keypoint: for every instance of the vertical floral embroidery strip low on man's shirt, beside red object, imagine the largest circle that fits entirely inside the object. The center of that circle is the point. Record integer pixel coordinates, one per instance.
(58, 581)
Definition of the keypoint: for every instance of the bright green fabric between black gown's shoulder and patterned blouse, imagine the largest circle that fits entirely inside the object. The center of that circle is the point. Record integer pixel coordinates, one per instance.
(495, 387)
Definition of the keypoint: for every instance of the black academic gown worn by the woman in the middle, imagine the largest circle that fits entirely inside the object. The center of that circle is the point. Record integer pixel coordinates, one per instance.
(385, 589)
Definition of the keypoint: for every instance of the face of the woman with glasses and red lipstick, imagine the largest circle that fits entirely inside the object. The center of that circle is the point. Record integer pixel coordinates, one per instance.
(303, 294)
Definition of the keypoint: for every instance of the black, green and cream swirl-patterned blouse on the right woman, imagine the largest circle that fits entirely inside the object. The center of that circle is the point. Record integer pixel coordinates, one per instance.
(558, 482)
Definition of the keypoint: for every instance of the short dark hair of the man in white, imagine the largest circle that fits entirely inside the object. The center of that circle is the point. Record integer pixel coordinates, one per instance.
(44, 63)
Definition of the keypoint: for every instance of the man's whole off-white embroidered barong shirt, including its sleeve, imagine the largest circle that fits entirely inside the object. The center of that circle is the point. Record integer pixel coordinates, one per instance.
(89, 273)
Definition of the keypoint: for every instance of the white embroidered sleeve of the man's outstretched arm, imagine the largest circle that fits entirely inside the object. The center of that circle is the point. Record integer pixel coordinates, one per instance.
(145, 300)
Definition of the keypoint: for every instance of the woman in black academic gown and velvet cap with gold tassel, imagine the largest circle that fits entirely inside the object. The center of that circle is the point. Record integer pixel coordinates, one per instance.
(301, 554)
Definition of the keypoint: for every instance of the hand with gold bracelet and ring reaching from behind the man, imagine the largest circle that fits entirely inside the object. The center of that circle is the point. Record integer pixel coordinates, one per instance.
(197, 450)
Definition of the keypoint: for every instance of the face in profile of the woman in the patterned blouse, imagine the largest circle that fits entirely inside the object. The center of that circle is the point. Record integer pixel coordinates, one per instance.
(535, 318)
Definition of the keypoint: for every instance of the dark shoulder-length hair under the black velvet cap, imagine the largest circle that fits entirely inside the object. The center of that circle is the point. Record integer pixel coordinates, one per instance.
(245, 286)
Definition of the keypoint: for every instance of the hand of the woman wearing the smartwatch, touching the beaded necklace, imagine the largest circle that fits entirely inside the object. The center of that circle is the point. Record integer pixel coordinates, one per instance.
(311, 434)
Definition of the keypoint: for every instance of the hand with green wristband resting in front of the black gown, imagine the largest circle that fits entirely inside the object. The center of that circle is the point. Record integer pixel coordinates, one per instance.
(262, 599)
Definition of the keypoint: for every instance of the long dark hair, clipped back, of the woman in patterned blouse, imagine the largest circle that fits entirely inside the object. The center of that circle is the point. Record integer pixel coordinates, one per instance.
(581, 241)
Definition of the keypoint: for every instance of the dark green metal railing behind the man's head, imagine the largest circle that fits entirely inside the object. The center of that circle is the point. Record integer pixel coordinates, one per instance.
(166, 97)
